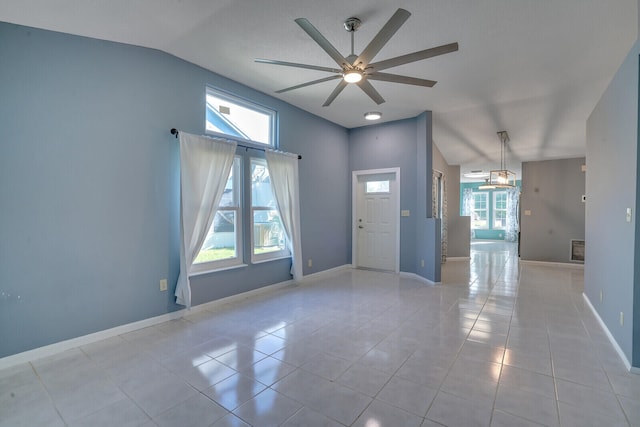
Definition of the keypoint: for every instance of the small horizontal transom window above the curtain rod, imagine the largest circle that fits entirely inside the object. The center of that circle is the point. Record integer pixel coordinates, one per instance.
(238, 118)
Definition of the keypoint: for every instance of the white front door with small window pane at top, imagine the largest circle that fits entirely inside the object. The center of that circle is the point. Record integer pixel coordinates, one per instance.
(376, 220)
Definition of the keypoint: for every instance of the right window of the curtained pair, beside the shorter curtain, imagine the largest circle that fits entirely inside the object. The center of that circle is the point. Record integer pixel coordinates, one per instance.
(268, 238)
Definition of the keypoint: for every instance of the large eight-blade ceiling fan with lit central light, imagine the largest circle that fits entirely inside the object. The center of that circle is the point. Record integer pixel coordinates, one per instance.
(358, 69)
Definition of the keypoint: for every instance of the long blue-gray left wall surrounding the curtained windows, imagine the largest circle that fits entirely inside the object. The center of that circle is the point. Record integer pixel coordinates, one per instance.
(89, 185)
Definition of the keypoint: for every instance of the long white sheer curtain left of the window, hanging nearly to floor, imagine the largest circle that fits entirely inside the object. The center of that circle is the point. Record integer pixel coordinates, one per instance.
(205, 164)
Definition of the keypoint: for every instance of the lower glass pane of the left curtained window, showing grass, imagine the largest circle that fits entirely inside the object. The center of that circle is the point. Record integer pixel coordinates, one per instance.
(220, 242)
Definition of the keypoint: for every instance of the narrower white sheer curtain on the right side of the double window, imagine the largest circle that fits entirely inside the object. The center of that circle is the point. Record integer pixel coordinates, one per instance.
(283, 170)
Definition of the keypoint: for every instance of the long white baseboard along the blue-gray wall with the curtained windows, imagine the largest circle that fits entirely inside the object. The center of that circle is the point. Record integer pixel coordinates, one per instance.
(59, 347)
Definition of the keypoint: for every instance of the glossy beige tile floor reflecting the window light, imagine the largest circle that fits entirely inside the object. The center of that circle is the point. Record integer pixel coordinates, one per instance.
(495, 344)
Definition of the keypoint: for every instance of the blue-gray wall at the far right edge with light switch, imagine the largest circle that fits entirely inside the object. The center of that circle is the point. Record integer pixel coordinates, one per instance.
(612, 259)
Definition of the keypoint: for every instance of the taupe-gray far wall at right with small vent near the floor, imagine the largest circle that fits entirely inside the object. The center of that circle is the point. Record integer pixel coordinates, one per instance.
(552, 191)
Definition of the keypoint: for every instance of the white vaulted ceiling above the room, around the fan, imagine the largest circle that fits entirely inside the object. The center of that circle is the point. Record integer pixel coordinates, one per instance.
(533, 67)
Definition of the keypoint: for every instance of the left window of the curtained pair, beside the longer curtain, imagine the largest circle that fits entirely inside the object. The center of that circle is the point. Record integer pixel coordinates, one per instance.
(223, 245)
